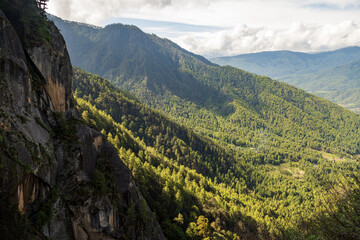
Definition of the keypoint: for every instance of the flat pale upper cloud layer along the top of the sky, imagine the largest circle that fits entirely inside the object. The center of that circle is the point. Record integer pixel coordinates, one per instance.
(207, 12)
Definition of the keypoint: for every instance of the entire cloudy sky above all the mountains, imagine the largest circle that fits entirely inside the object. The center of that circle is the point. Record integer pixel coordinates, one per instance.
(229, 27)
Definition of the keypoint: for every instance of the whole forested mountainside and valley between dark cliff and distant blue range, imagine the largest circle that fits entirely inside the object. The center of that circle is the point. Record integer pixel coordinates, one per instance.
(256, 154)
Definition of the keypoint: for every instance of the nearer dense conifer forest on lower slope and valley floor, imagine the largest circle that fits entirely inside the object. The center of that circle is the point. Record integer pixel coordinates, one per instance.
(208, 190)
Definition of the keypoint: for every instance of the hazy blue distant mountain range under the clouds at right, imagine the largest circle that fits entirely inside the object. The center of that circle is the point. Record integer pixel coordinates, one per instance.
(326, 74)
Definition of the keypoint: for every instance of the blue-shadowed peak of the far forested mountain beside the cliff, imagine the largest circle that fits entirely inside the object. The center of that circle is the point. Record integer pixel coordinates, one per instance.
(141, 57)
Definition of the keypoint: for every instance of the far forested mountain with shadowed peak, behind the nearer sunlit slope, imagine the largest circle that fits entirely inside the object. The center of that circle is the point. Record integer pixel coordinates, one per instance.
(218, 102)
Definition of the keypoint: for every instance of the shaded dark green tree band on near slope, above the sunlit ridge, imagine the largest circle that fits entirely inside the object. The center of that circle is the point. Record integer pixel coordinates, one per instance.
(150, 126)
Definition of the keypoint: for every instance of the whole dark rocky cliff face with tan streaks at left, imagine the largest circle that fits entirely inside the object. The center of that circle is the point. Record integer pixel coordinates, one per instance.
(59, 179)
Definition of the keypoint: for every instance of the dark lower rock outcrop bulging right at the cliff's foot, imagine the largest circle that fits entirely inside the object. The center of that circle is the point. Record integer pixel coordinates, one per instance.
(97, 214)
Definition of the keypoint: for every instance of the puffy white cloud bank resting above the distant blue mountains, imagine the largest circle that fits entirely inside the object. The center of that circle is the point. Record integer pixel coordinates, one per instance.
(299, 37)
